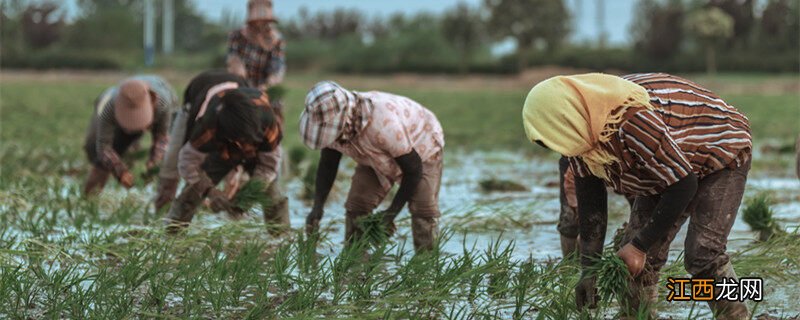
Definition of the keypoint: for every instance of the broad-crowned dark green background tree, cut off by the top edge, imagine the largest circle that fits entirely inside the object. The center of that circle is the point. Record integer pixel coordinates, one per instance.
(529, 21)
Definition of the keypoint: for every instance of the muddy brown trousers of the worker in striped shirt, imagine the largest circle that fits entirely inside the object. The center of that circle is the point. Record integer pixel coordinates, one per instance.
(711, 214)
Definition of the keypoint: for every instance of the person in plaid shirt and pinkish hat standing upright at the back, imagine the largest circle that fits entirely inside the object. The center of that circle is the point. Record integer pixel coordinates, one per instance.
(255, 51)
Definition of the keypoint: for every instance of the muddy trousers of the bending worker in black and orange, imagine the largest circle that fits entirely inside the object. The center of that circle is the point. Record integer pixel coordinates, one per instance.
(185, 205)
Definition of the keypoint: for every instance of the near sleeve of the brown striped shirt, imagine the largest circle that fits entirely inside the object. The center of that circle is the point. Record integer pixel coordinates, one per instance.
(657, 154)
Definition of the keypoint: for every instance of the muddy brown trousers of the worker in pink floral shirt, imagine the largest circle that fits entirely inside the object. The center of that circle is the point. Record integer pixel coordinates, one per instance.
(366, 193)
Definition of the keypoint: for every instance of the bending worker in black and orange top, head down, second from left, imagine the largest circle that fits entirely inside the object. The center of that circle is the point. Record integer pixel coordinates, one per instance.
(223, 124)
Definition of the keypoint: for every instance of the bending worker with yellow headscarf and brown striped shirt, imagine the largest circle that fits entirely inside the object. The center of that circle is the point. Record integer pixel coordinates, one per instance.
(682, 151)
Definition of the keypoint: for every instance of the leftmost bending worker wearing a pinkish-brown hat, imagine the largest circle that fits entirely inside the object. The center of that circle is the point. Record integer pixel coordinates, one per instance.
(121, 115)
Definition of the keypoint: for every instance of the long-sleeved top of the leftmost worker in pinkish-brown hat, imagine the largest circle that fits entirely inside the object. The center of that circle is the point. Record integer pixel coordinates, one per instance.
(106, 141)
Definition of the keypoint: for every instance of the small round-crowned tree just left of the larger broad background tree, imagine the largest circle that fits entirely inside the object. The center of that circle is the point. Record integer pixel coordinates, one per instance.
(464, 28)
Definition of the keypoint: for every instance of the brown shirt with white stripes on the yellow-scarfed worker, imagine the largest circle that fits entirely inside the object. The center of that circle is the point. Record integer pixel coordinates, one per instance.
(690, 130)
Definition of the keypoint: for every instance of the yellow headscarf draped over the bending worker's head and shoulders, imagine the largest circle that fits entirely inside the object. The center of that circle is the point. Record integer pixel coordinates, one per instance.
(571, 114)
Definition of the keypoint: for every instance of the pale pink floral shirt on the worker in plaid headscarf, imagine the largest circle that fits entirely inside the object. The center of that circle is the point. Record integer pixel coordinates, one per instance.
(398, 125)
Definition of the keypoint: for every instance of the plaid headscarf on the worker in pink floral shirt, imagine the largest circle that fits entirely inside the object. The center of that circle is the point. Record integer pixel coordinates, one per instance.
(332, 114)
